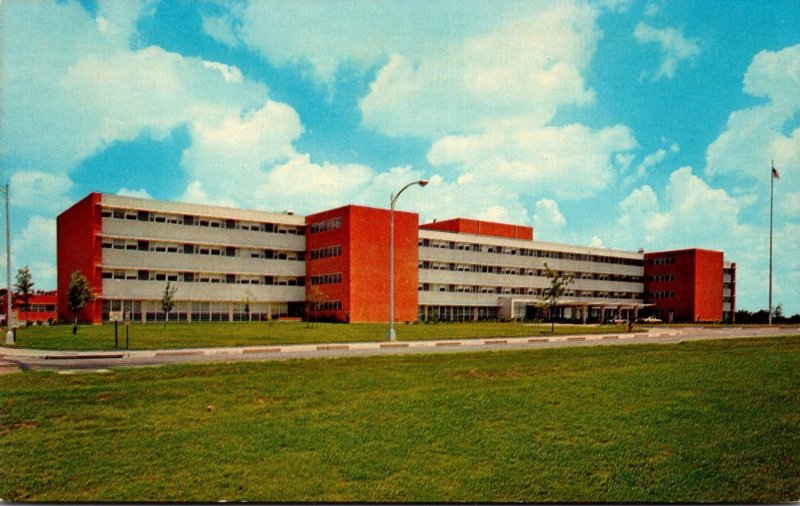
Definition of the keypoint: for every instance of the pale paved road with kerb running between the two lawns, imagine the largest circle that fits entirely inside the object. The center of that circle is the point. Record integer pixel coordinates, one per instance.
(14, 360)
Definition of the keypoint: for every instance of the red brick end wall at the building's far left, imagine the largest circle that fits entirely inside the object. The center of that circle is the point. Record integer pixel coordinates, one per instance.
(79, 247)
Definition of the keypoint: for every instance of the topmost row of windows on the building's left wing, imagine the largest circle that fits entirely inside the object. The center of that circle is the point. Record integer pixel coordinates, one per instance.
(201, 221)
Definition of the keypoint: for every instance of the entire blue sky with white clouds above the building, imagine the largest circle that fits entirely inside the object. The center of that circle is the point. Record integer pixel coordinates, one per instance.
(614, 123)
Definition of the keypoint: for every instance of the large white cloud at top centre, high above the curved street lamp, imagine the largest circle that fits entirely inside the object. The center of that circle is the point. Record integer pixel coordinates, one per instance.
(522, 70)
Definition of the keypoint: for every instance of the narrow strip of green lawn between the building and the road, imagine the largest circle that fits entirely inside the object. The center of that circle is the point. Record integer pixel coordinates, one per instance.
(188, 335)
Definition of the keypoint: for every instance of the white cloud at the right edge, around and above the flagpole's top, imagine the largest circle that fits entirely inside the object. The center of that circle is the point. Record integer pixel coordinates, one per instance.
(756, 135)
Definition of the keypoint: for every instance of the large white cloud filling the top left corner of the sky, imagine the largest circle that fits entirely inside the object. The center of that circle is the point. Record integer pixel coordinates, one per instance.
(72, 85)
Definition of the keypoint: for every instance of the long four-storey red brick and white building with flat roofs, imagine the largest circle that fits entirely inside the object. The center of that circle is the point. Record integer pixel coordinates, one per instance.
(244, 265)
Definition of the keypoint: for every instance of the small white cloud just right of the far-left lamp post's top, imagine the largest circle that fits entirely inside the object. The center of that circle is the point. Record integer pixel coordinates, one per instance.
(42, 191)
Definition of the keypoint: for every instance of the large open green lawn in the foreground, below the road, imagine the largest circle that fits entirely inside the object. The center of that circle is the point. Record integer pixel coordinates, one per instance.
(710, 421)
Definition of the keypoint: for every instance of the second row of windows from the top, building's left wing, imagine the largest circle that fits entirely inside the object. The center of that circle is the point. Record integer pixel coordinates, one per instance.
(200, 249)
